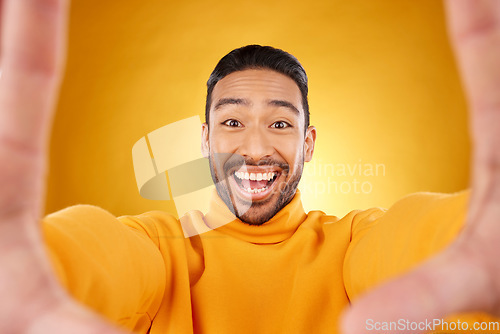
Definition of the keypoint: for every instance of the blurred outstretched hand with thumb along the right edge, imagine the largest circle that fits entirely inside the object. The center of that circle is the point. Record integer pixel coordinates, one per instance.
(466, 276)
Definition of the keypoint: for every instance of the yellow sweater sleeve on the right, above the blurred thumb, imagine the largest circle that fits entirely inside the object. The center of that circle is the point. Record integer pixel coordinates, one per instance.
(412, 230)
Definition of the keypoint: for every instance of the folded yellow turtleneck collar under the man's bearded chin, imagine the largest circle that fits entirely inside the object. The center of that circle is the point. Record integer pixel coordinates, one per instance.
(281, 227)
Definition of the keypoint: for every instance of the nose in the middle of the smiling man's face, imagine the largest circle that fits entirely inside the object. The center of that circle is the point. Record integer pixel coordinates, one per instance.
(256, 144)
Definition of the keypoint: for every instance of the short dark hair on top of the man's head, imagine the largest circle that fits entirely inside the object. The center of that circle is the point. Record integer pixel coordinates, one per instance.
(259, 57)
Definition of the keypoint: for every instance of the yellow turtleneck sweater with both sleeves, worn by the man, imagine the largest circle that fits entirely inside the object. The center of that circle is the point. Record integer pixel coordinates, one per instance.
(293, 274)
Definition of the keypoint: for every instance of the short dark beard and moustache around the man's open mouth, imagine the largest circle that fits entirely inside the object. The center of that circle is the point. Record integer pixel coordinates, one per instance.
(249, 212)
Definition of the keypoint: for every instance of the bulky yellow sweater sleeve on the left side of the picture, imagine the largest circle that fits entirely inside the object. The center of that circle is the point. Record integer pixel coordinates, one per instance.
(113, 268)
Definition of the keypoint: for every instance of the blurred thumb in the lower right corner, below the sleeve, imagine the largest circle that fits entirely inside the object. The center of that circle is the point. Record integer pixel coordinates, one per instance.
(450, 283)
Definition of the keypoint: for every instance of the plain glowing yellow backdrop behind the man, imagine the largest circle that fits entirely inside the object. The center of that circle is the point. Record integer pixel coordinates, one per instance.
(383, 90)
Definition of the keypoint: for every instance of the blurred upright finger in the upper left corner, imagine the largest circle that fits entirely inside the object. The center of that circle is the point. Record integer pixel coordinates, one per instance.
(33, 50)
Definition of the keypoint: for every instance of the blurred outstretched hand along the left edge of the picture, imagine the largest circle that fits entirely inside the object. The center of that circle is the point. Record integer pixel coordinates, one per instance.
(32, 50)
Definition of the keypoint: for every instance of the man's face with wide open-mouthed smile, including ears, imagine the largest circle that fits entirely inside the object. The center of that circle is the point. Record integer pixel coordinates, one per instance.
(256, 142)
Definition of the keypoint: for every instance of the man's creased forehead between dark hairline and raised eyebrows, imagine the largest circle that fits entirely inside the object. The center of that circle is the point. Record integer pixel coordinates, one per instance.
(258, 86)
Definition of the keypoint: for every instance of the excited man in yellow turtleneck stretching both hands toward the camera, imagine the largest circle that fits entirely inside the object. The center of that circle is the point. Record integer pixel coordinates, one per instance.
(273, 269)
